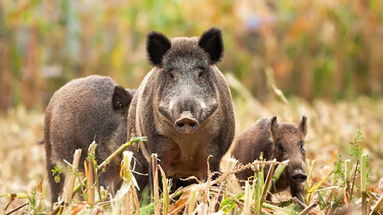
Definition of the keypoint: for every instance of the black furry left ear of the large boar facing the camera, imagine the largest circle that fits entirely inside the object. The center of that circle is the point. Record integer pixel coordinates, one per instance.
(156, 46)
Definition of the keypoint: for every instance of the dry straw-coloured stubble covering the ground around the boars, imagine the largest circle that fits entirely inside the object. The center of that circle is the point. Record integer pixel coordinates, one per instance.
(332, 127)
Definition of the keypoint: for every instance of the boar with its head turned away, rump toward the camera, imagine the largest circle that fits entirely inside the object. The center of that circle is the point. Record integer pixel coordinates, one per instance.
(83, 110)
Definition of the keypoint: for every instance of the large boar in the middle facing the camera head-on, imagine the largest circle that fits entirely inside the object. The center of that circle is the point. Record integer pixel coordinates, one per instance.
(183, 106)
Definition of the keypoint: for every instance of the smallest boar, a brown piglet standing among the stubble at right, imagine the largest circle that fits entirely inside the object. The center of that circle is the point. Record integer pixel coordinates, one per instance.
(280, 141)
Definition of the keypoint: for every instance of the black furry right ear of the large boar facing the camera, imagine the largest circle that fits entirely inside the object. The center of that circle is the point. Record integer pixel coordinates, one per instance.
(212, 43)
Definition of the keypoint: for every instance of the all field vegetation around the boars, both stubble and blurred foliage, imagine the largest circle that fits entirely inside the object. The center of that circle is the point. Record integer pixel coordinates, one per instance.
(319, 58)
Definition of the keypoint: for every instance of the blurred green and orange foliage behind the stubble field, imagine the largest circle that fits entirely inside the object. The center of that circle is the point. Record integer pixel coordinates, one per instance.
(329, 49)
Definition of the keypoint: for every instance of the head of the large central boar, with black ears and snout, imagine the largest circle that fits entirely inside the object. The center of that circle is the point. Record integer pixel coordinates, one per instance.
(187, 93)
